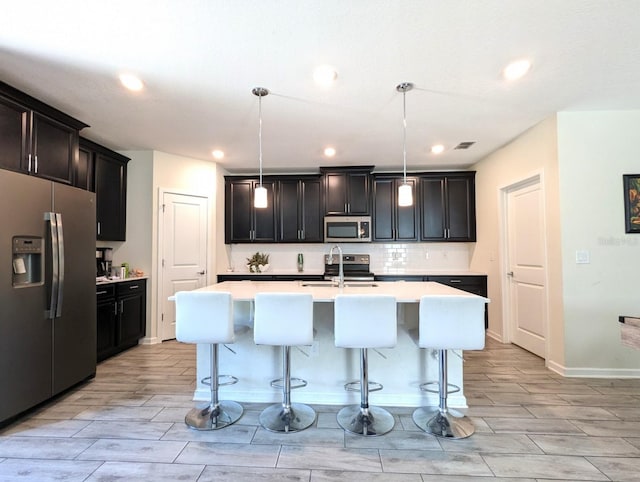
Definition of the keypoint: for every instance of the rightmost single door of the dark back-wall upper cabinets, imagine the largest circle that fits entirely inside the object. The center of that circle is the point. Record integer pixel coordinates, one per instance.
(460, 209)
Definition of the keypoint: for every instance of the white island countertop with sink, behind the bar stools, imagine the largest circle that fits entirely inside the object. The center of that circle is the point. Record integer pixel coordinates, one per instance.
(325, 291)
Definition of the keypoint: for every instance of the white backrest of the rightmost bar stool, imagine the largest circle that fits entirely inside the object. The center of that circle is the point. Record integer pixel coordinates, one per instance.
(451, 322)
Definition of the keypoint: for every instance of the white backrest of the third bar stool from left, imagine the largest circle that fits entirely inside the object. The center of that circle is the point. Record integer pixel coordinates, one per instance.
(365, 321)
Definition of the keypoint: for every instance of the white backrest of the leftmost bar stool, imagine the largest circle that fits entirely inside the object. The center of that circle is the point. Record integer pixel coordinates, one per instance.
(204, 317)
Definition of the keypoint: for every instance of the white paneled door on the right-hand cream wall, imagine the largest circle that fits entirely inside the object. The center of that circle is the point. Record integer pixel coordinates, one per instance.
(526, 267)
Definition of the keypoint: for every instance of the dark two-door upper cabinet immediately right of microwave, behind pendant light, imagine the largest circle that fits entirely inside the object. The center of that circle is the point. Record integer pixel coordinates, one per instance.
(390, 221)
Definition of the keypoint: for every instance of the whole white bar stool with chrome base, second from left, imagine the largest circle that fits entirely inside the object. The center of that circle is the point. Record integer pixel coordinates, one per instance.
(285, 319)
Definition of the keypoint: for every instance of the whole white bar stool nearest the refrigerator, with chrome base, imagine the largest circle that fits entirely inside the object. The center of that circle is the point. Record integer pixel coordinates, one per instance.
(207, 318)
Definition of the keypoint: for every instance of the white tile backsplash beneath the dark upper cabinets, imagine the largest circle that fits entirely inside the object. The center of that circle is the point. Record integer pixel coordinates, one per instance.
(386, 258)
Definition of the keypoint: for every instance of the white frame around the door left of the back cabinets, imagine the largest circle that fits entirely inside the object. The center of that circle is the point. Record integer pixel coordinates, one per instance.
(160, 251)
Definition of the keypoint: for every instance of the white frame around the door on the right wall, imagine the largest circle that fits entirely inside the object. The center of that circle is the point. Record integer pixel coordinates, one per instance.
(533, 177)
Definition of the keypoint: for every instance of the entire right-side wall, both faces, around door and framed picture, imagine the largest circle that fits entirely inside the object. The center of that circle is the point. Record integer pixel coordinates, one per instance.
(582, 156)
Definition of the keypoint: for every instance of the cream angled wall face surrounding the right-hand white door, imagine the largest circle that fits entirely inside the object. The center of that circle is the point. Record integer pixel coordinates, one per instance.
(533, 152)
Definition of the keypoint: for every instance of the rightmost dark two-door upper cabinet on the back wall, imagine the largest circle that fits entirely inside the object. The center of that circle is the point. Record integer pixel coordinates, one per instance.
(448, 206)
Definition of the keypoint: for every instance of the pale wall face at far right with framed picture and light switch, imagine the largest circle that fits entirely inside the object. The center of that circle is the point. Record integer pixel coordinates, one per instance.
(595, 149)
